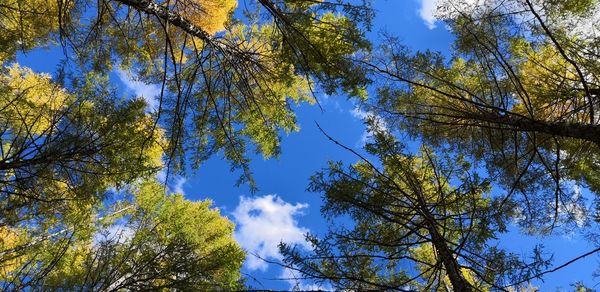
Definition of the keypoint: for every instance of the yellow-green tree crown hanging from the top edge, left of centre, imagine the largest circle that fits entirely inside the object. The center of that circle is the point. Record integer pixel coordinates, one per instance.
(224, 90)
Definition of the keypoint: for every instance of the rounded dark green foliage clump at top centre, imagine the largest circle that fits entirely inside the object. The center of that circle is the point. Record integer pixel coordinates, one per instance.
(331, 42)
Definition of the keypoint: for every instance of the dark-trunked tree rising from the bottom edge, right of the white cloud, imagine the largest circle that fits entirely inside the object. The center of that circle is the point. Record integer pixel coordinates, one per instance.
(410, 228)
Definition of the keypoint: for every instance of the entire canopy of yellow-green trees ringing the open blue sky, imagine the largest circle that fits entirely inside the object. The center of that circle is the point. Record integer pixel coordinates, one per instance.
(497, 134)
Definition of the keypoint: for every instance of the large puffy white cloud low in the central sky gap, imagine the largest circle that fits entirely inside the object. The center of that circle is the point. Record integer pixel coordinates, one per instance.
(264, 222)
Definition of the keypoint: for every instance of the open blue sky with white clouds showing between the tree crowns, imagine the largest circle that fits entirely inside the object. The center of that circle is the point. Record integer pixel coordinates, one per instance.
(282, 209)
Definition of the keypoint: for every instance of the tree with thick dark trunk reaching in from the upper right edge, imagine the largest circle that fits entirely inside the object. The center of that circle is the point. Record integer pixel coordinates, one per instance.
(519, 94)
